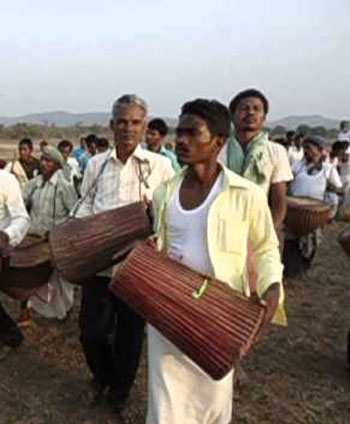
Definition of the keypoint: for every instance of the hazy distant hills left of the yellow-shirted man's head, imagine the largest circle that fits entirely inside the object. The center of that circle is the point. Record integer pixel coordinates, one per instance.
(66, 119)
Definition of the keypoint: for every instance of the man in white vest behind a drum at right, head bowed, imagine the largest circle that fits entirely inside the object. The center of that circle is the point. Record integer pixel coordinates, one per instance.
(313, 177)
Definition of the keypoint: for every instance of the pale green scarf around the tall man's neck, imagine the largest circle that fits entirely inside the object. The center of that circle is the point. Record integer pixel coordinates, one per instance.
(251, 163)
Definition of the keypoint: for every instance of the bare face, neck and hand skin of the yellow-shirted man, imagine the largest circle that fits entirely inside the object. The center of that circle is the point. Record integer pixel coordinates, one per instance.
(198, 149)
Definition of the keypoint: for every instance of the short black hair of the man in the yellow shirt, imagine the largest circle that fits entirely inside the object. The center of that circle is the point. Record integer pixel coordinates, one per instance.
(214, 113)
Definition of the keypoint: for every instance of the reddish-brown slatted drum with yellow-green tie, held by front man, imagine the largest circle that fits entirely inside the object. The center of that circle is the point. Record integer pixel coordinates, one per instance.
(206, 319)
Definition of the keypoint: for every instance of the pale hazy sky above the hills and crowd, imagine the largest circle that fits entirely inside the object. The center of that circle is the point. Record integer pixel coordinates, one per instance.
(78, 55)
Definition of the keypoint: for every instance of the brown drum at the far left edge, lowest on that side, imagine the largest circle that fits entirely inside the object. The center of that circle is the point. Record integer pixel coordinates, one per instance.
(27, 267)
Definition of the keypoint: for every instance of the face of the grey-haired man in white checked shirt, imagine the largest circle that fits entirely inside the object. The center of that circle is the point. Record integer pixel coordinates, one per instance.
(128, 126)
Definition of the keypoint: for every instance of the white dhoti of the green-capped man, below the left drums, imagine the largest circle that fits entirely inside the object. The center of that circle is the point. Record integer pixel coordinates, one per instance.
(55, 299)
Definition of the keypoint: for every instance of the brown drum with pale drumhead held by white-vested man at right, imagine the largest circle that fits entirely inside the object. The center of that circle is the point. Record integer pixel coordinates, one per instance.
(305, 214)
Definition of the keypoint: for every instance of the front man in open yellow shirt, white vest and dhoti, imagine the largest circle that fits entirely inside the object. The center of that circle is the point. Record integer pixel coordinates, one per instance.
(200, 224)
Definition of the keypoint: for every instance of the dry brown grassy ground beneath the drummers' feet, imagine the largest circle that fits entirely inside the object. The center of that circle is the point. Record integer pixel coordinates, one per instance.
(296, 375)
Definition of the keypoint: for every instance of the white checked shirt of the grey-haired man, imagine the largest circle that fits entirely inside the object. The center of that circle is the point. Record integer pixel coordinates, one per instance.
(108, 183)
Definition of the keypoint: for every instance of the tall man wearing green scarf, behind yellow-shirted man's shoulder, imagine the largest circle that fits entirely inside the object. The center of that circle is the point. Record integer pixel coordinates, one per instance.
(250, 154)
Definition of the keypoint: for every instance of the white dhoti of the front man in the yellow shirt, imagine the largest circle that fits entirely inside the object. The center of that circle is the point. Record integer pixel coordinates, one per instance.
(179, 391)
